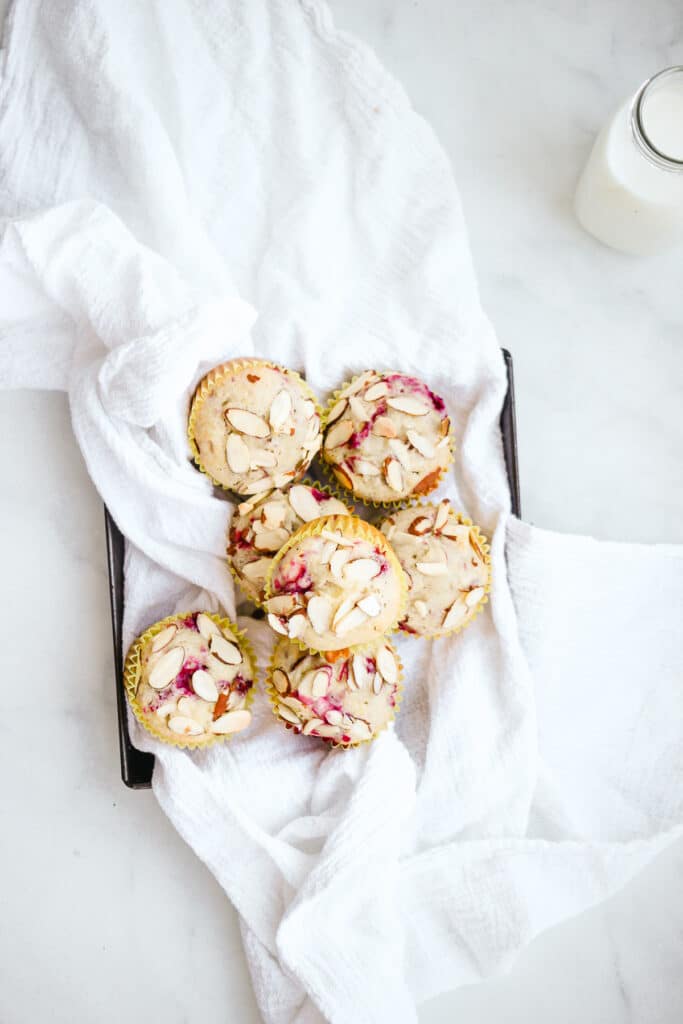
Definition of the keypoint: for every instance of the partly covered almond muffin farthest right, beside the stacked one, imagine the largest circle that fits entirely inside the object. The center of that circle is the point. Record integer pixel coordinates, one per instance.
(446, 560)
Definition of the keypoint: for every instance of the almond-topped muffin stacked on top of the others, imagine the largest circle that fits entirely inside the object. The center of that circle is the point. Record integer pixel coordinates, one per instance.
(335, 584)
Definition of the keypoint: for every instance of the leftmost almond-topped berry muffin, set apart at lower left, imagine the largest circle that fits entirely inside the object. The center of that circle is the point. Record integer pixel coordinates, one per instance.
(190, 679)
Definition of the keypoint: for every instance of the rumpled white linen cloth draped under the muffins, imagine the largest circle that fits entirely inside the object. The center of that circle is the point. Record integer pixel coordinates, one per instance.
(166, 176)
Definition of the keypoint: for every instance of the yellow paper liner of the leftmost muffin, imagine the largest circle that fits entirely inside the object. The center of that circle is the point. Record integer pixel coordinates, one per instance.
(132, 675)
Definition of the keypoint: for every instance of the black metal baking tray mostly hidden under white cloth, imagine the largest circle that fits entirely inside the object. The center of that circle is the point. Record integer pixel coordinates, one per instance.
(137, 766)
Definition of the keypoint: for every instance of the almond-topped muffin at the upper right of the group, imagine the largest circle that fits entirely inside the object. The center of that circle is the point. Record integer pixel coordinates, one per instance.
(388, 438)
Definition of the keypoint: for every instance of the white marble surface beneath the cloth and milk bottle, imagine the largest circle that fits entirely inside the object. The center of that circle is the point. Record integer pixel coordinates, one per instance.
(95, 879)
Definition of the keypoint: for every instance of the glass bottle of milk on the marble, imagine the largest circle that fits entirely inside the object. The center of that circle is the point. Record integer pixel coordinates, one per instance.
(631, 193)
